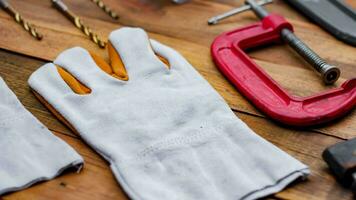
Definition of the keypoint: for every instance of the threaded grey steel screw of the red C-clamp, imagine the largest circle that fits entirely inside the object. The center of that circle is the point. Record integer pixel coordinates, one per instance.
(329, 73)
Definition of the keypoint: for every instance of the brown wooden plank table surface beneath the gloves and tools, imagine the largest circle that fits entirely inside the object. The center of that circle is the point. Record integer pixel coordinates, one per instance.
(184, 28)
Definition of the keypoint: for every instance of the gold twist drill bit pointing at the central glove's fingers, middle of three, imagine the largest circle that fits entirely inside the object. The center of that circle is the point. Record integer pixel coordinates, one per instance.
(78, 23)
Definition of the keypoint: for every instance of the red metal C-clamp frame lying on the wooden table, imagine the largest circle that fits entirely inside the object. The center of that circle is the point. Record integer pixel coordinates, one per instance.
(228, 53)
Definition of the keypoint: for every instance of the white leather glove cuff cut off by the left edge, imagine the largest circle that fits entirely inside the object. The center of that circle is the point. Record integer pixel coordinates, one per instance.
(29, 151)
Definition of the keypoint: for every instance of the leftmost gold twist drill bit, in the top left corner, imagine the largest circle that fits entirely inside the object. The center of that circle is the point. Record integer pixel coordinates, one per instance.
(18, 18)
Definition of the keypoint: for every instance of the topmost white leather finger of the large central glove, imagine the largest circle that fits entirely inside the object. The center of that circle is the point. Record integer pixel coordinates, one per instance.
(134, 48)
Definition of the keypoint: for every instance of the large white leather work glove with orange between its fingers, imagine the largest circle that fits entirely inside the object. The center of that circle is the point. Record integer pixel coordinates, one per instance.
(165, 131)
